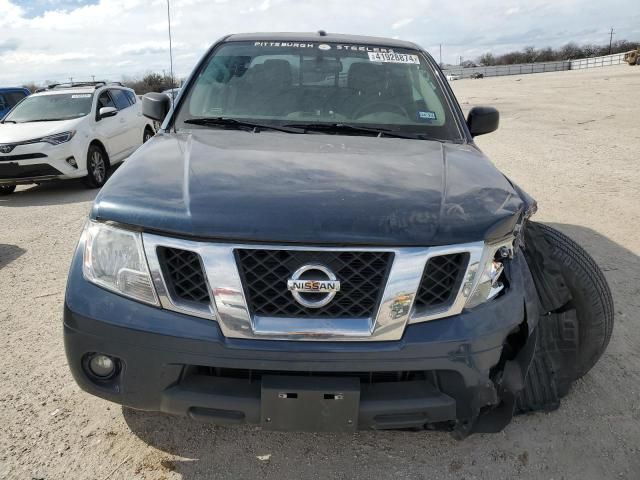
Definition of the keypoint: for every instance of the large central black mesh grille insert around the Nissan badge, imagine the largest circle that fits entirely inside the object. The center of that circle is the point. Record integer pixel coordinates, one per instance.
(265, 273)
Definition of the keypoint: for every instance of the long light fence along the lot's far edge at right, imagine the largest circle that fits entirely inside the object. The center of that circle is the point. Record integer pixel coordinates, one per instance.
(541, 67)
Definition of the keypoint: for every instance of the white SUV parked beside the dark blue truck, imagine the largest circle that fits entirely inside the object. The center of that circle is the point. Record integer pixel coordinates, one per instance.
(70, 131)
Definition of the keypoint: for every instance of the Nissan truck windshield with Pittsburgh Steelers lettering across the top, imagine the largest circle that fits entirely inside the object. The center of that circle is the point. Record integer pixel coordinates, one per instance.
(308, 84)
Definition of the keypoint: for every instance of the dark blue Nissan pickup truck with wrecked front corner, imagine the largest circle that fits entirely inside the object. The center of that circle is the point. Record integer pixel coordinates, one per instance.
(310, 253)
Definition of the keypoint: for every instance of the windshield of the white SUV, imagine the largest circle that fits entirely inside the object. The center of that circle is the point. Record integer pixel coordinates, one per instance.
(59, 106)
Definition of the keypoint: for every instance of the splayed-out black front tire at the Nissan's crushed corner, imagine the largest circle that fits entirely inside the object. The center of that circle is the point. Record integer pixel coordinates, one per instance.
(572, 338)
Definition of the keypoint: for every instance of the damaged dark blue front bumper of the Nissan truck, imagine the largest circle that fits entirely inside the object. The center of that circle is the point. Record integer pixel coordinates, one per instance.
(441, 373)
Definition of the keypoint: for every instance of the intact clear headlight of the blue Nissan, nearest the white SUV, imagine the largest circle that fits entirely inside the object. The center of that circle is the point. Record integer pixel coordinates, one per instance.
(114, 259)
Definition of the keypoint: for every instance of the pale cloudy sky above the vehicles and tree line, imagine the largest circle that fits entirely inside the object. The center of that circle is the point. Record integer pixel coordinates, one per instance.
(53, 40)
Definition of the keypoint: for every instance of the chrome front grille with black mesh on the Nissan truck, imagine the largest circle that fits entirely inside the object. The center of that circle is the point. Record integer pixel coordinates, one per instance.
(244, 287)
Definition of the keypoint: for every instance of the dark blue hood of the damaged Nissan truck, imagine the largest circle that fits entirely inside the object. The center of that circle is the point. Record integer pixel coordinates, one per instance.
(327, 189)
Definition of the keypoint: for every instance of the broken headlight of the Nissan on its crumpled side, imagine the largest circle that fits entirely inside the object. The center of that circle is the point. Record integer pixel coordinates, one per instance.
(484, 281)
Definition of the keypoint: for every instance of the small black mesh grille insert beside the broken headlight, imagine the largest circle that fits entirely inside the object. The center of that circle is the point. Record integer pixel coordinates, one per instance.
(441, 280)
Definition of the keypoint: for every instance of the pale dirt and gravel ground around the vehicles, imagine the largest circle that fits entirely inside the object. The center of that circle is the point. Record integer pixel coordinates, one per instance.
(571, 139)
